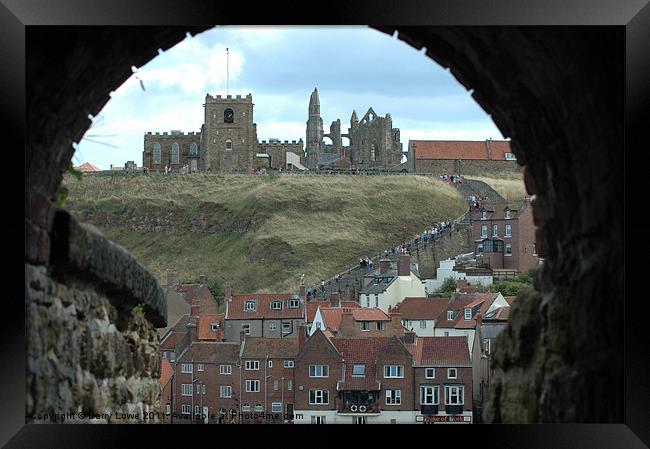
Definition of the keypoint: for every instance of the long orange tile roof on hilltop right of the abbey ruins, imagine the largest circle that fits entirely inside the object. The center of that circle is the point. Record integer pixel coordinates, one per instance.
(460, 149)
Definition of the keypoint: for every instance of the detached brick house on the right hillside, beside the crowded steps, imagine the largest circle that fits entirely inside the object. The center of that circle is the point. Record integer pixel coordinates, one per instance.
(505, 236)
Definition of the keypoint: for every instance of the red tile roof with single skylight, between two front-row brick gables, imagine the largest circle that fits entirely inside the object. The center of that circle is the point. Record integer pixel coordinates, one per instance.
(366, 351)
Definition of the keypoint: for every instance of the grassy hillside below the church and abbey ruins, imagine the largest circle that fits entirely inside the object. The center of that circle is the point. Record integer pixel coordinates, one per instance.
(258, 232)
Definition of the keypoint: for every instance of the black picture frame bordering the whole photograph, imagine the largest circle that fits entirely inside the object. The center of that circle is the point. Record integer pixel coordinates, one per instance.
(16, 15)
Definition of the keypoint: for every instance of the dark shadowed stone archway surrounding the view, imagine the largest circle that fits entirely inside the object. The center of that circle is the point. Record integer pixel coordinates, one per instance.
(555, 91)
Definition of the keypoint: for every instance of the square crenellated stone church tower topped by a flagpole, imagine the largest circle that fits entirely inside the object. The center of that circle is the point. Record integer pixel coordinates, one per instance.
(229, 136)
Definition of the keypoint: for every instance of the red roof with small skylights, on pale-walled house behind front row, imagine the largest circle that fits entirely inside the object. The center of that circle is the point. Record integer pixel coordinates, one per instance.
(263, 307)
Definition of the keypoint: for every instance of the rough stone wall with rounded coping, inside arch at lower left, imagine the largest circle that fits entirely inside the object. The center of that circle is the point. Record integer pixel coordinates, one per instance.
(92, 346)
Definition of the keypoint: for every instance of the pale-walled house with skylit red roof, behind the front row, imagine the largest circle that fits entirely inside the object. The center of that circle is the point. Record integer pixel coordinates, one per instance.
(275, 315)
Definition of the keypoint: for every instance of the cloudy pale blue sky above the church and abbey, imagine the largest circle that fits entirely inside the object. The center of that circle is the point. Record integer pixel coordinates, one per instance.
(354, 68)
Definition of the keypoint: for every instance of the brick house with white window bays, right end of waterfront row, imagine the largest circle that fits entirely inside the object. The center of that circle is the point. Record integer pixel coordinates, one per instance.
(443, 379)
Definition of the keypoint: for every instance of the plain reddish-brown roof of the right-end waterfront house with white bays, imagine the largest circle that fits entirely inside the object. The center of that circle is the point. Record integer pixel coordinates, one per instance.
(441, 351)
